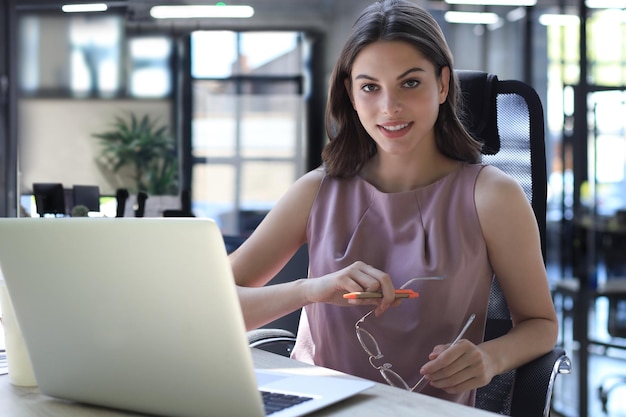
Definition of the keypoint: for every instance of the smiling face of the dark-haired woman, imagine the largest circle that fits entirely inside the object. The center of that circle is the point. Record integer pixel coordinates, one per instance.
(396, 94)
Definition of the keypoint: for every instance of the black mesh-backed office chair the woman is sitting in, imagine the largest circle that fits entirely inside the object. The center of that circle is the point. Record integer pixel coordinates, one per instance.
(507, 116)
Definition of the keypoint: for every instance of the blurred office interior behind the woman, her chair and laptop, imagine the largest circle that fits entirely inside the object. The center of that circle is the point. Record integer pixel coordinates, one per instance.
(243, 99)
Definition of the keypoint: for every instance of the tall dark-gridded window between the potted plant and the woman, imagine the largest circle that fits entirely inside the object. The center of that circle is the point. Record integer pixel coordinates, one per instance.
(248, 122)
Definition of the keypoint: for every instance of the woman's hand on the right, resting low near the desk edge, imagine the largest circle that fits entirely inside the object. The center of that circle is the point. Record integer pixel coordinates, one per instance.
(459, 368)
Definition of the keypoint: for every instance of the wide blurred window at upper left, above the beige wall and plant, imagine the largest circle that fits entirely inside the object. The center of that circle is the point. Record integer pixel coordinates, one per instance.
(91, 56)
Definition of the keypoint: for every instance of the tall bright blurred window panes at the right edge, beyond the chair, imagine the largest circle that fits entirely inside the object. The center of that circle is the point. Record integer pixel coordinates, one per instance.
(606, 149)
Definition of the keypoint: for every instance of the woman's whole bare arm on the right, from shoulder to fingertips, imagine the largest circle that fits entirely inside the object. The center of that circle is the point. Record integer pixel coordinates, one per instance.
(514, 249)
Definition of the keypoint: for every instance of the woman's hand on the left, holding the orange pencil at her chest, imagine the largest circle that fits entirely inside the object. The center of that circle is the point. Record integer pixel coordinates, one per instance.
(358, 276)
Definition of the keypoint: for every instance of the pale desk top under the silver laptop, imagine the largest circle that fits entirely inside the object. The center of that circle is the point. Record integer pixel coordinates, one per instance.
(382, 400)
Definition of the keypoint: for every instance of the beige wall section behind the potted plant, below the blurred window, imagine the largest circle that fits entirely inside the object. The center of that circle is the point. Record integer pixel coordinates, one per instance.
(56, 142)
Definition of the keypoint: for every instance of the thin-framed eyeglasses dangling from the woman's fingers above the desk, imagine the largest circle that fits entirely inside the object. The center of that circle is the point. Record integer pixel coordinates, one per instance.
(370, 346)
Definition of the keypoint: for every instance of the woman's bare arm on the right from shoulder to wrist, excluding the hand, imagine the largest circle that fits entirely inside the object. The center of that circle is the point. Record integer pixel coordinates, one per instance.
(514, 248)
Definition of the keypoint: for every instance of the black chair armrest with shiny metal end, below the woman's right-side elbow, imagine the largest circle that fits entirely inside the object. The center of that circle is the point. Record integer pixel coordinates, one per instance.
(534, 383)
